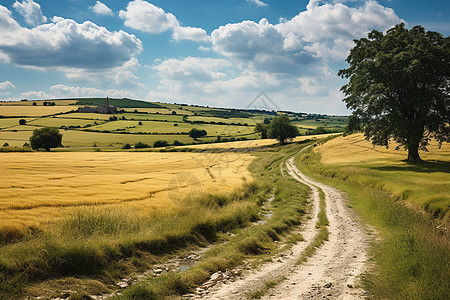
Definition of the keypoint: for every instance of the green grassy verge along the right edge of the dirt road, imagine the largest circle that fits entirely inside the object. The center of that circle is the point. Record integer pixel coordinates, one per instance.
(412, 259)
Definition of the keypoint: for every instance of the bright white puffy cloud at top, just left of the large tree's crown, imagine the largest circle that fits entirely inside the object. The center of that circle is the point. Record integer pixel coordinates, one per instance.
(328, 30)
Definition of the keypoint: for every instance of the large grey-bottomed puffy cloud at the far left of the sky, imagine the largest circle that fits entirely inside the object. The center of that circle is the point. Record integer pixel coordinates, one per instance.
(66, 44)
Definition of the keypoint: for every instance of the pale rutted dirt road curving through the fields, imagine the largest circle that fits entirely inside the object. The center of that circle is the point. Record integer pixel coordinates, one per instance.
(331, 273)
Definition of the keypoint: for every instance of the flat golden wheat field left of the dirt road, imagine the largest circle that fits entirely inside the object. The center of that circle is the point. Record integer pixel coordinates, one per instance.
(39, 188)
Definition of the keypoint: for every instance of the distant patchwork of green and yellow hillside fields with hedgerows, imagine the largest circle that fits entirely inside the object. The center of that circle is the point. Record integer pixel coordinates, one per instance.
(141, 121)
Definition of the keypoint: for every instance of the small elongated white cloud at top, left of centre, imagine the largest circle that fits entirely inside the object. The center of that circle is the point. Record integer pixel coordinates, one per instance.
(146, 17)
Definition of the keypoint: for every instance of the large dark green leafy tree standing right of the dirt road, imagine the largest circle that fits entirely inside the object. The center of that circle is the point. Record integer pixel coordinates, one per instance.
(399, 87)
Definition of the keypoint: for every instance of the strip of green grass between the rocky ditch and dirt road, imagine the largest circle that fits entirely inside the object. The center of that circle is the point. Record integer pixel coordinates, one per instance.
(255, 242)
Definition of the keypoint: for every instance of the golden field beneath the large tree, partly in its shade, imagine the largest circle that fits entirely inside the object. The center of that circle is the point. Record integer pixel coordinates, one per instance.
(424, 185)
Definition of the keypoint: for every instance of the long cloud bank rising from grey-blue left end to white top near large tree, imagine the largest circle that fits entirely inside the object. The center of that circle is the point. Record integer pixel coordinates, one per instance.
(322, 32)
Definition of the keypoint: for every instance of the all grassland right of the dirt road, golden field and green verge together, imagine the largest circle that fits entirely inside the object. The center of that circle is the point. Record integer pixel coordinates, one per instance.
(407, 205)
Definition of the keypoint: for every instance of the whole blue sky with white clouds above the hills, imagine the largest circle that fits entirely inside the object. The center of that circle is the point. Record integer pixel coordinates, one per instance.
(204, 52)
